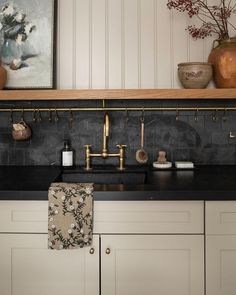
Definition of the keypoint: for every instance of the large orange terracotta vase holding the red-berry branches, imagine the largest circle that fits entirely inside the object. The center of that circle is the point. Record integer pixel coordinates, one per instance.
(223, 58)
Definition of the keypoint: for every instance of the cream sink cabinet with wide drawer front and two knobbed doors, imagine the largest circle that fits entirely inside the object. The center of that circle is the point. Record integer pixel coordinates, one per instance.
(147, 247)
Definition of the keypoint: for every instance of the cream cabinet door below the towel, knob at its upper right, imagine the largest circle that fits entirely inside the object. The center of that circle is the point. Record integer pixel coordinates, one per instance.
(27, 267)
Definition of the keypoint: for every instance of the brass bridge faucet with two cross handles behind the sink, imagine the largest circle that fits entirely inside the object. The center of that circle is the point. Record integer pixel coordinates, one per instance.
(105, 154)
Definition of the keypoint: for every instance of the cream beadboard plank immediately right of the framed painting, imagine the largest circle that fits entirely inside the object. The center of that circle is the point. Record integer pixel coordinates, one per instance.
(66, 31)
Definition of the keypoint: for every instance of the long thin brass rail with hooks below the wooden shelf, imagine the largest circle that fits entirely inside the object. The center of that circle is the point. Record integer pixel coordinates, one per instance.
(111, 109)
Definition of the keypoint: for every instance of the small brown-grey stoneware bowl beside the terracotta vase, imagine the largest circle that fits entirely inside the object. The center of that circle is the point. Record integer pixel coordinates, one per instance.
(195, 75)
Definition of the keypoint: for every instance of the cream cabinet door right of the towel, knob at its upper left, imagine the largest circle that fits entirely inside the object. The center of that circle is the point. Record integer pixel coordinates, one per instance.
(152, 264)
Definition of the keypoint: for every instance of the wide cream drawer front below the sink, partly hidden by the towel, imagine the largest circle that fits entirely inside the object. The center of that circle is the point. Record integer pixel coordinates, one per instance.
(110, 216)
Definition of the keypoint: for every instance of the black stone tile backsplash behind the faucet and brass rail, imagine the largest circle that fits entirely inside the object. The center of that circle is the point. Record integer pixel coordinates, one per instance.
(203, 142)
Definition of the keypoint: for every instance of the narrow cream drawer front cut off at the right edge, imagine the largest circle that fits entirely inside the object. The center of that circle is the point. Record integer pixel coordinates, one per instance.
(221, 217)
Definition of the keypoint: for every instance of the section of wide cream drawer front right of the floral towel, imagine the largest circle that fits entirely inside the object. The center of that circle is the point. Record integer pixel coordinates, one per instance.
(149, 217)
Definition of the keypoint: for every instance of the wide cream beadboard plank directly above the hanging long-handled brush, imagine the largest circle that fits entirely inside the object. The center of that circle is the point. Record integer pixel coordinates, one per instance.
(147, 42)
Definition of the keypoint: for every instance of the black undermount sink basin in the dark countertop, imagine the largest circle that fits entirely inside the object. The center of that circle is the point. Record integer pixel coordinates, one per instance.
(105, 177)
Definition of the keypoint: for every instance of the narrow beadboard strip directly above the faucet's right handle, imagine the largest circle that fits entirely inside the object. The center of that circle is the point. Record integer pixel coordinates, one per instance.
(122, 43)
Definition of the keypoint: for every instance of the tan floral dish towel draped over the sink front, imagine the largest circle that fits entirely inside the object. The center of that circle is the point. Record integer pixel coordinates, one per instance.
(70, 215)
